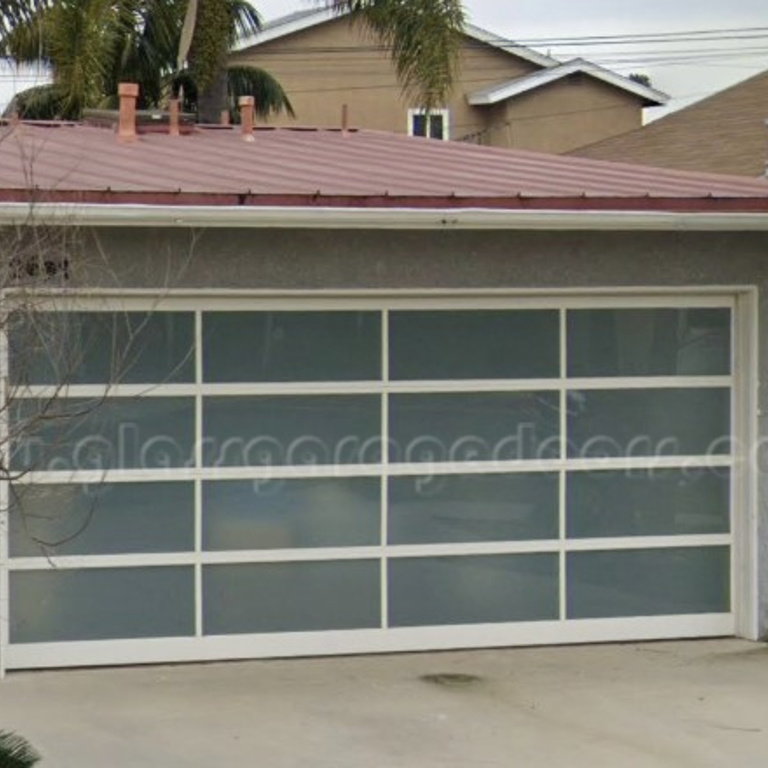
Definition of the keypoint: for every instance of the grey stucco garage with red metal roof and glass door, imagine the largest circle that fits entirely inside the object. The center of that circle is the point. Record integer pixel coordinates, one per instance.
(560, 356)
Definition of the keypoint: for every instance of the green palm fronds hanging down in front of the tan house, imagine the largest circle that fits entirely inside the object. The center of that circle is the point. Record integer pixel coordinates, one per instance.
(424, 37)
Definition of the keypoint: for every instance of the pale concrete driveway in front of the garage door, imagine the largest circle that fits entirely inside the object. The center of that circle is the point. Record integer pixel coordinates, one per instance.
(656, 704)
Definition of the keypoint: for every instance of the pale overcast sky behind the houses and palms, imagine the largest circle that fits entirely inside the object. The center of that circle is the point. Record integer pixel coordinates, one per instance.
(708, 68)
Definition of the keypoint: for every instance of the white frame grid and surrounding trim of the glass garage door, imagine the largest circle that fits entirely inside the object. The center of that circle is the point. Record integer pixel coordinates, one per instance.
(742, 620)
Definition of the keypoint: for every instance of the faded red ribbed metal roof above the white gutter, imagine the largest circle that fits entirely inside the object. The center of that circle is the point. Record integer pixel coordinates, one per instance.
(66, 161)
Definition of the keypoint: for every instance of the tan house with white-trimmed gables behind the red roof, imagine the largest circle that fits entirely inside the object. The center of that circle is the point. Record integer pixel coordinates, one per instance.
(507, 95)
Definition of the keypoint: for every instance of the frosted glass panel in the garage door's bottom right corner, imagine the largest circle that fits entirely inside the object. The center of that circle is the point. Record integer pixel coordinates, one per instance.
(648, 582)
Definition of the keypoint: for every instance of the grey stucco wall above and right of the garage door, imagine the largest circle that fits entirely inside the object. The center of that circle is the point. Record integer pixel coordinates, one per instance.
(257, 259)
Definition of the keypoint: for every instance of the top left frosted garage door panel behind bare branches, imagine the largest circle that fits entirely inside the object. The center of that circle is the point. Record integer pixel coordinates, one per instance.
(103, 347)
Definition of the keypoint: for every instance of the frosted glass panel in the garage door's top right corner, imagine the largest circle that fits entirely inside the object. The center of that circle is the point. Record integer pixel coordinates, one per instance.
(649, 342)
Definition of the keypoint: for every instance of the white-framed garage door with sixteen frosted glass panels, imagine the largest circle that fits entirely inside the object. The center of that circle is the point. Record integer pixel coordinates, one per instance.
(260, 480)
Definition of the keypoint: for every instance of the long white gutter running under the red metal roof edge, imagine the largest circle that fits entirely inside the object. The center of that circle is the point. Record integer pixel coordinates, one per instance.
(64, 214)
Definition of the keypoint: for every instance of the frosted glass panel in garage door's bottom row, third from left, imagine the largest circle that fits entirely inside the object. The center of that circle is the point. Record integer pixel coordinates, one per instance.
(472, 590)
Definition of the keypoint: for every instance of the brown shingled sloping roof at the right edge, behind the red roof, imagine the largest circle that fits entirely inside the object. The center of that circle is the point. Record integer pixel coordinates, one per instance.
(724, 133)
